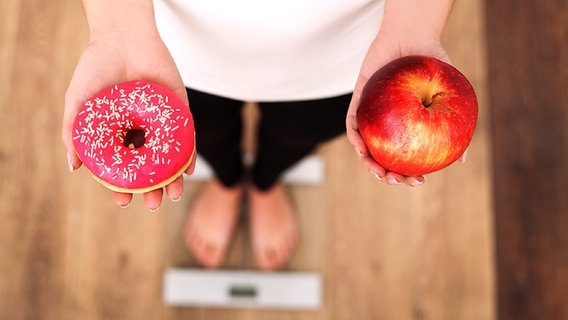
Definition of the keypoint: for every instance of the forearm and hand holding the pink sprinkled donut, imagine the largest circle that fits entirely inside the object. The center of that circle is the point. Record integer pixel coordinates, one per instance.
(124, 45)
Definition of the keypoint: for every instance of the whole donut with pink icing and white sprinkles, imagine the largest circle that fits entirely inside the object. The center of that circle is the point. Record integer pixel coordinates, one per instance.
(135, 137)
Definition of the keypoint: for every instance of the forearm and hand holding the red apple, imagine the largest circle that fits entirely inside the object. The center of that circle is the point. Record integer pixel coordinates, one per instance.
(409, 27)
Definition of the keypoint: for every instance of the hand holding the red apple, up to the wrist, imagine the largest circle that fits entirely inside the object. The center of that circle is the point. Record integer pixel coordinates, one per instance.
(384, 49)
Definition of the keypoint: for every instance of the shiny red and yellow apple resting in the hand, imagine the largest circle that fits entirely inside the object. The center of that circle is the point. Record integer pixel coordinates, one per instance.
(417, 115)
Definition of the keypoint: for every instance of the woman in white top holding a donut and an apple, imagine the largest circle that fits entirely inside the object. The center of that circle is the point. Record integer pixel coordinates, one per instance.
(303, 61)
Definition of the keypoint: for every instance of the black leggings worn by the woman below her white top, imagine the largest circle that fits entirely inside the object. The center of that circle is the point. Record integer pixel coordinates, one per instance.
(287, 132)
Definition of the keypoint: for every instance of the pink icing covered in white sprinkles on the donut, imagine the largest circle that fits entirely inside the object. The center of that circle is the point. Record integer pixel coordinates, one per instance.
(105, 122)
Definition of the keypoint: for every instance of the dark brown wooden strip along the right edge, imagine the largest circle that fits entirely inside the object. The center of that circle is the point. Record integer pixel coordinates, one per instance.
(528, 75)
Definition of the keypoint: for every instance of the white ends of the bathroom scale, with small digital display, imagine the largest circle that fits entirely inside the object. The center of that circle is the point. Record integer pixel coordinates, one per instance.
(248, 289)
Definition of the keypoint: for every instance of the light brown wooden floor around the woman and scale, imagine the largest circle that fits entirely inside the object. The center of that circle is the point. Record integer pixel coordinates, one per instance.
(67, 252)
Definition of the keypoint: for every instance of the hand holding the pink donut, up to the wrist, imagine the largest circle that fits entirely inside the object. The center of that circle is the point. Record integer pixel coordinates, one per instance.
(115, 57)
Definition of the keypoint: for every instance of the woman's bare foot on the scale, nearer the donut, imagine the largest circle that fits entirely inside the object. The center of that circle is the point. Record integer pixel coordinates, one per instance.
(209, 228)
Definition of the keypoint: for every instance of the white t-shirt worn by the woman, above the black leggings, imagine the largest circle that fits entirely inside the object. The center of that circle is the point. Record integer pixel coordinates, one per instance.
(262, 50)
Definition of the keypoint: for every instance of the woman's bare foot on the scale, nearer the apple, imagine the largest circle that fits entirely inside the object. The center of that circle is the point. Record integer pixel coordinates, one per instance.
(273, 226)
